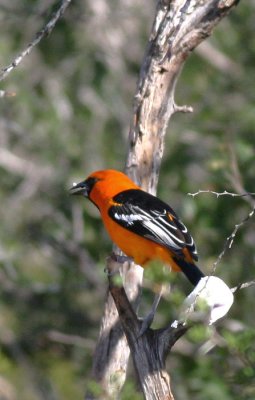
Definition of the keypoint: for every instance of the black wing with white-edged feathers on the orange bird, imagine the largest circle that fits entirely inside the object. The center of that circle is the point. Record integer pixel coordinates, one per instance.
(151, 218)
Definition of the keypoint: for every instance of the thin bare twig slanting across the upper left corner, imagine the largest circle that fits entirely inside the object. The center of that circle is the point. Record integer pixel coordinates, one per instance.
(39, 36)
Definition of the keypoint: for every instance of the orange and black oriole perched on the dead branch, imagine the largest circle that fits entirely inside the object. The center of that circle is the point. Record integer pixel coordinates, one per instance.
(140, 224)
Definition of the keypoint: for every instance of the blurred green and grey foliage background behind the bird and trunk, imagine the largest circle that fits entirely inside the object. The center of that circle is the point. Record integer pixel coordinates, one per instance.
(70, 116)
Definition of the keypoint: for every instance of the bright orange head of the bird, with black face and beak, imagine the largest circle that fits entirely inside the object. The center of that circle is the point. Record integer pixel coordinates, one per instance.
(101, 186)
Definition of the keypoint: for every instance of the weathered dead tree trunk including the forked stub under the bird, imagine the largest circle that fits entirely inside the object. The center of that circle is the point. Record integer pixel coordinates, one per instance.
(179, 26)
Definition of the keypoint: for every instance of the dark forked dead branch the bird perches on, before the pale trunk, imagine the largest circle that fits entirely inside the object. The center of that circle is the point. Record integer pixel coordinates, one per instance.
(148, 350)
